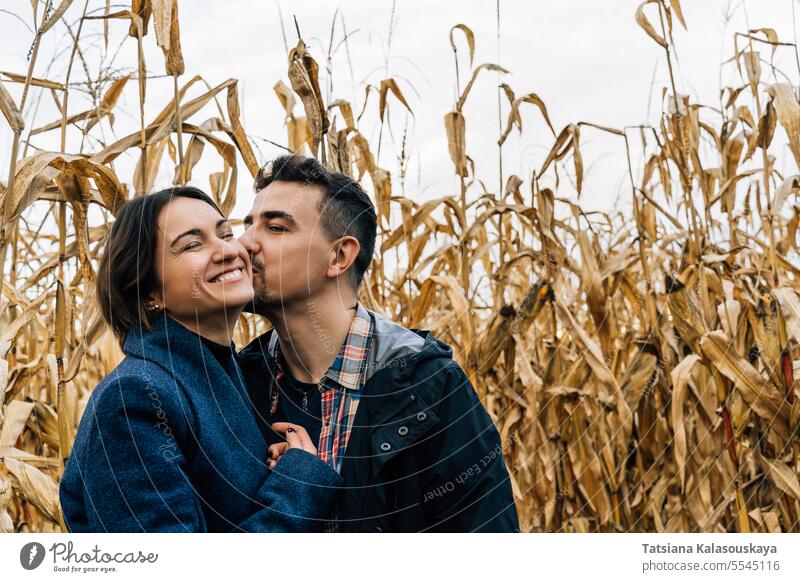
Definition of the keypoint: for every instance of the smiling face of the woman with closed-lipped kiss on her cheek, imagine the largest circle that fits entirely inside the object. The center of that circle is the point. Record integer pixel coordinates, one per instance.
(204, 270)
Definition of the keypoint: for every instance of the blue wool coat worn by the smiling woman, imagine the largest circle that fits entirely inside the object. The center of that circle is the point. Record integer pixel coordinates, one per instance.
(168, 442)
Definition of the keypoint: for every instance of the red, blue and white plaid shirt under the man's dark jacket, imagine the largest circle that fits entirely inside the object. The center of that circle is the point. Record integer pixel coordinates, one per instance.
(339, 388)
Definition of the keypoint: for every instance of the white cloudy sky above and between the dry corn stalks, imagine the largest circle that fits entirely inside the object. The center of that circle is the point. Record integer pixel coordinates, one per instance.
(587, 59)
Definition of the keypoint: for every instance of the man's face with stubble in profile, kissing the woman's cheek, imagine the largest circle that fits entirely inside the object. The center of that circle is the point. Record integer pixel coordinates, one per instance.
(289, 252)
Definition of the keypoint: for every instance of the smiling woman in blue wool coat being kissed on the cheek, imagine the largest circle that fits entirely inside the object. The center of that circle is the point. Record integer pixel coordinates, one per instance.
(168, 441)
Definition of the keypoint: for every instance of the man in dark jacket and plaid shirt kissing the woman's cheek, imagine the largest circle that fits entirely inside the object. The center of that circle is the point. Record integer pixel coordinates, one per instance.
(390, 409)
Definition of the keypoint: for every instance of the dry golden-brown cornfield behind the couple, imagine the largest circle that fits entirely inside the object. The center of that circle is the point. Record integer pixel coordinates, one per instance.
(640, 368)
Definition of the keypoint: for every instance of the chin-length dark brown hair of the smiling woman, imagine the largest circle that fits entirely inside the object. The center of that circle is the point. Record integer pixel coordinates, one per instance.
(127, 273)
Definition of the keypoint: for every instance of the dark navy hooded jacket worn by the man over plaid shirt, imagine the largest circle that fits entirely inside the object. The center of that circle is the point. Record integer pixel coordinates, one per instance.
(424, 455)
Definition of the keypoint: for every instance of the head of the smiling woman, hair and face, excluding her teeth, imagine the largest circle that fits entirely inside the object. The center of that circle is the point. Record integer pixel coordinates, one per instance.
(158, 251)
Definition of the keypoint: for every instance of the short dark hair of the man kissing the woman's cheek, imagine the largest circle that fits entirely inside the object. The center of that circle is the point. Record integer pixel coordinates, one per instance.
(344, 208)
